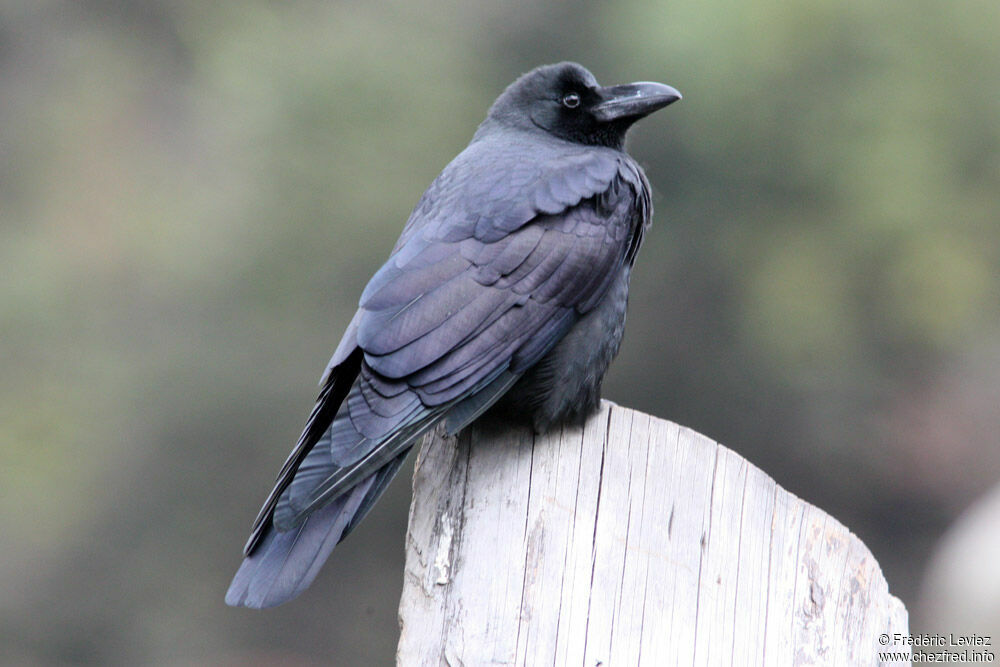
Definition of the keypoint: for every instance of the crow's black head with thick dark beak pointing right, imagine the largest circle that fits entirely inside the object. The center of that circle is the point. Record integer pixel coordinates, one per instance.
(566, 101)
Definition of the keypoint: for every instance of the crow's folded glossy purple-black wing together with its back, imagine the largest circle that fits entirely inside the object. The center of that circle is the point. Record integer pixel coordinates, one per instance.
(491, 271)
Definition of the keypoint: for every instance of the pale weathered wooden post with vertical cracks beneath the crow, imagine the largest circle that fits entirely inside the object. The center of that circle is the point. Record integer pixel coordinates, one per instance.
(629, 541)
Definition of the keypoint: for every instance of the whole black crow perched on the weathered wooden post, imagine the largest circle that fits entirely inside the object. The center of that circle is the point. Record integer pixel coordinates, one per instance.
(507, 289)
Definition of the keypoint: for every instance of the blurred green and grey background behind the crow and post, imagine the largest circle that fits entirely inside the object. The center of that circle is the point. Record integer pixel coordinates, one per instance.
(193, 195)
